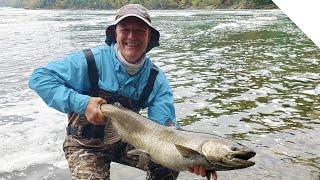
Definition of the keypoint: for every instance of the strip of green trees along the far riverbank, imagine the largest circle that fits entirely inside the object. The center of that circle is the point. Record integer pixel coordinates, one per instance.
(150, 4)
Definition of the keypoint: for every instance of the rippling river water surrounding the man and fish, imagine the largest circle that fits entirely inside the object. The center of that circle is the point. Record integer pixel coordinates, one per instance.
(251, 76)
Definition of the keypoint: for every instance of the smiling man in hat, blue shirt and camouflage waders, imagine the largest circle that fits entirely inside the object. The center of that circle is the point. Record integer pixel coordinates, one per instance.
(116, 72)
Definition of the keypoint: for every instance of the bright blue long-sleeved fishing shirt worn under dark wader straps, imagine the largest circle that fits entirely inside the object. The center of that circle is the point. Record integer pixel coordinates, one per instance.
(62, 83)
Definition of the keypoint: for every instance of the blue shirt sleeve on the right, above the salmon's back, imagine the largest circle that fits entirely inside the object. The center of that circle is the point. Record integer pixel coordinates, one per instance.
(161, 107)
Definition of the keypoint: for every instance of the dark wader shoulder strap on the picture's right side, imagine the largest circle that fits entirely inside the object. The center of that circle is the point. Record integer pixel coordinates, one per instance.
(149, 86)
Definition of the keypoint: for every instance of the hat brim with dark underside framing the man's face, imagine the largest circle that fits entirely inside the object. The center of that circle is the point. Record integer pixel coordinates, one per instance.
(154, 37)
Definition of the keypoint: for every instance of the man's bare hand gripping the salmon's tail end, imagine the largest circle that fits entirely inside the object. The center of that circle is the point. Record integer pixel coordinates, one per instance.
(93, 112)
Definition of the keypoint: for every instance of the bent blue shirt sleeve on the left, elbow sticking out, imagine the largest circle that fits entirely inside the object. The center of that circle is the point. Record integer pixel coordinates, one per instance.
(60, 83)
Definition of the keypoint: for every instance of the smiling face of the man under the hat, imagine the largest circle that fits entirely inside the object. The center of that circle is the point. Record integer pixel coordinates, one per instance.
(132, 36)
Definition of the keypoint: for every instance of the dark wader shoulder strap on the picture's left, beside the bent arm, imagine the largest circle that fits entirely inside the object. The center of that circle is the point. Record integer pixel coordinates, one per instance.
(92, 73)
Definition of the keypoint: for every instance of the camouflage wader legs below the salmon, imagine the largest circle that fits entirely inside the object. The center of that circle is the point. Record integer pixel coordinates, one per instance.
(90, 159)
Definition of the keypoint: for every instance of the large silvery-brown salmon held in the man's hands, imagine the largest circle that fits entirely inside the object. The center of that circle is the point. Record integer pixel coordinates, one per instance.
(173, 148)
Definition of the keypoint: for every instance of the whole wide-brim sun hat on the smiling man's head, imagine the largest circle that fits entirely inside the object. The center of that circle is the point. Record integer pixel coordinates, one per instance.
(140, 12)
